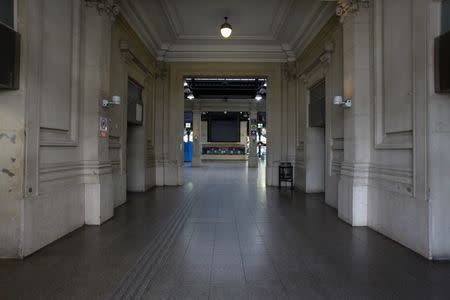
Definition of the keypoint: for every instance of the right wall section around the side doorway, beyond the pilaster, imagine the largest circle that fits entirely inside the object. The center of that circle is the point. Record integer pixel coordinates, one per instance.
(322, 59)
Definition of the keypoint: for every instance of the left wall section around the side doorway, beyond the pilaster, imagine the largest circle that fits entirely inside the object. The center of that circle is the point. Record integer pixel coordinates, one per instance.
(138, 64)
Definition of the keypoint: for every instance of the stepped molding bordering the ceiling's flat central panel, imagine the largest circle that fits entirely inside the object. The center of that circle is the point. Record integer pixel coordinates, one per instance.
(260, 48)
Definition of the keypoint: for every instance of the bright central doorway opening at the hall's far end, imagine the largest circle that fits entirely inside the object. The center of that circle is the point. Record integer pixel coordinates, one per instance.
(225, 121)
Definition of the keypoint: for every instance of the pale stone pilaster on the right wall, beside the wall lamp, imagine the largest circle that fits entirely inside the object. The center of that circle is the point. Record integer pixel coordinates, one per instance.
(353, 185)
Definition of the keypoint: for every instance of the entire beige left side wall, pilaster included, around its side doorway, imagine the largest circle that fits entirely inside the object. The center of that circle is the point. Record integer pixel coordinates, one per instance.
(63, 175)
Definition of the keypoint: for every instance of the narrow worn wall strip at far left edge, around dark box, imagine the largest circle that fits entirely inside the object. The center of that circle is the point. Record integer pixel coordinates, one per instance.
(12, 144)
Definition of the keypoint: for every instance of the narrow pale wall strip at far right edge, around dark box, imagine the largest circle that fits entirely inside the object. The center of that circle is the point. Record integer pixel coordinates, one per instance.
(438, 147)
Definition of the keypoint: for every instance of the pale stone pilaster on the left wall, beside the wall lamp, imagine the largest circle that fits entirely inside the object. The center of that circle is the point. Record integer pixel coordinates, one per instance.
(99, 201)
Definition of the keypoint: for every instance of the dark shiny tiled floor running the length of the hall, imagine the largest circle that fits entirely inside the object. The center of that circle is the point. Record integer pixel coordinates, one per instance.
(240, 240)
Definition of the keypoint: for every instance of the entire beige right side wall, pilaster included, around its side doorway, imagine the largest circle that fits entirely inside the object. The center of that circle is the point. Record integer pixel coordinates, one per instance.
(377, 154)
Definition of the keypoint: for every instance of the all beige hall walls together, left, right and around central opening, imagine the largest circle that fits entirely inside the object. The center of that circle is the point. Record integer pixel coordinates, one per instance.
(386, 158)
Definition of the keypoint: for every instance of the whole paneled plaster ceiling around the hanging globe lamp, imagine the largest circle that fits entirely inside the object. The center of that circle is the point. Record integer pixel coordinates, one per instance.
(263, 30)
